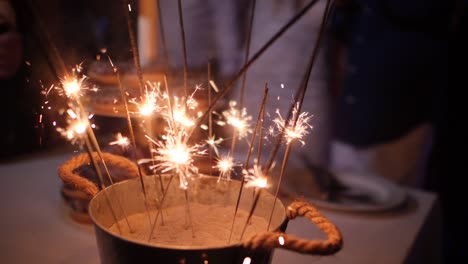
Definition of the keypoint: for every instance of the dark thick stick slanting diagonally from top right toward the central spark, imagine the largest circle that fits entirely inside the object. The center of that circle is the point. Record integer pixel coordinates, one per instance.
(270, 42)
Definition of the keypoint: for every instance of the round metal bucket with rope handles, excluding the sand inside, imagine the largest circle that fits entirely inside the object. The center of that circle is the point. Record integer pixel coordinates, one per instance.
(114, 248)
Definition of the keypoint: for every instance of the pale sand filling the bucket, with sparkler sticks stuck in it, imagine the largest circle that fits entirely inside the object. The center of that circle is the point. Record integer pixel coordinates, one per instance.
(211, 223)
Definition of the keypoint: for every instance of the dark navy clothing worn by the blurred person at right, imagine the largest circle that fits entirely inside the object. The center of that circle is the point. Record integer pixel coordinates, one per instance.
(397, 59)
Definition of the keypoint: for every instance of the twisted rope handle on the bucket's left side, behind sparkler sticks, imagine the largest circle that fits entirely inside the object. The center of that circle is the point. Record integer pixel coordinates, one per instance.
(76, 181)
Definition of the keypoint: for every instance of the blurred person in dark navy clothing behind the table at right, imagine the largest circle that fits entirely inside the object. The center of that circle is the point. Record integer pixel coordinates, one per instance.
(394, 57)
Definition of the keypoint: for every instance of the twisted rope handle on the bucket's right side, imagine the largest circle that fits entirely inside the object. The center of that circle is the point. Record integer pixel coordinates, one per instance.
(271, 240)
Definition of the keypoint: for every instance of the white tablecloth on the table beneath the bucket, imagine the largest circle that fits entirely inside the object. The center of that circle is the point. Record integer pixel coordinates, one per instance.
(35, 227)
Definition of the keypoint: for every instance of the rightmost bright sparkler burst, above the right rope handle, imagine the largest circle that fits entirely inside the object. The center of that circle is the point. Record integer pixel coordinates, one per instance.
(291, 131)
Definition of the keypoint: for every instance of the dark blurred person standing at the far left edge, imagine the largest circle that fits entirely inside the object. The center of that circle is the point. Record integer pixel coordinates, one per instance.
(17, 134)
